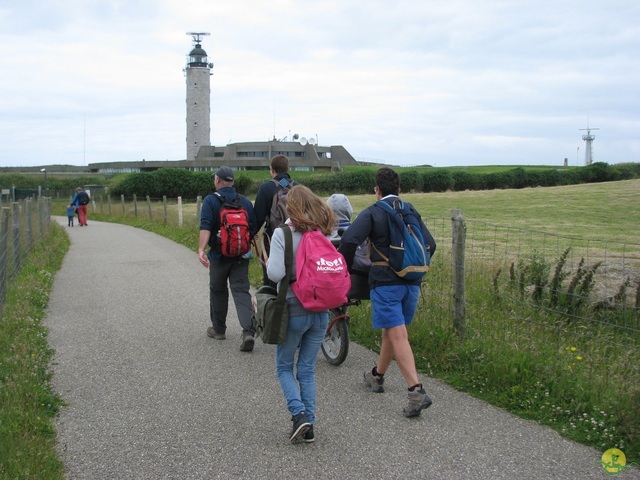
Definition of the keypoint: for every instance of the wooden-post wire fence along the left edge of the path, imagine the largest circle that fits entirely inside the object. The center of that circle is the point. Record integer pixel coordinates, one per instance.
(23, 224)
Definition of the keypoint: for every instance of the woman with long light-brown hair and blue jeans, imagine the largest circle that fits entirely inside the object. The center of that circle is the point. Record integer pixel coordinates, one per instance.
(306, 329)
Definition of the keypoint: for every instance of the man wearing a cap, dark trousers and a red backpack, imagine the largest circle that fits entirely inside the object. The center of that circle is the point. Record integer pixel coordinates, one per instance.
(222, 269)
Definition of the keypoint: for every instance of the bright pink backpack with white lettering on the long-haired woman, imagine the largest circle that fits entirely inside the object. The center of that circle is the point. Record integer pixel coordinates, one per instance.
(322, 279)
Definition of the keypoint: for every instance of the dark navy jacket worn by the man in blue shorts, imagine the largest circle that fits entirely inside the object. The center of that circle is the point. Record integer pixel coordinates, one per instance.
(373, 223)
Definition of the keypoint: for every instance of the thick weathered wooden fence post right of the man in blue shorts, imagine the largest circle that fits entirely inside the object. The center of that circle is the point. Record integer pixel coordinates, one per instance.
(459, 234)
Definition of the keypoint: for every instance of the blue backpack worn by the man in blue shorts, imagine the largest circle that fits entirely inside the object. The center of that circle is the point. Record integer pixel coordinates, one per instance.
(409, 256)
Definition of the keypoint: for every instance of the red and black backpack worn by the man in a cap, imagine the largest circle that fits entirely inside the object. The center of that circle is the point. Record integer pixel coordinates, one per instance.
(235, 239)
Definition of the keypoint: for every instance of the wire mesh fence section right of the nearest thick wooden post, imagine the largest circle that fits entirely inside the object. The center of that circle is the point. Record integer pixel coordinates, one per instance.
(587, 287)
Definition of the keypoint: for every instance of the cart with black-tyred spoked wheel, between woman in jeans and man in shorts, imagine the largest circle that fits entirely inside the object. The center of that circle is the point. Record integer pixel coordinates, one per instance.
(335, 345)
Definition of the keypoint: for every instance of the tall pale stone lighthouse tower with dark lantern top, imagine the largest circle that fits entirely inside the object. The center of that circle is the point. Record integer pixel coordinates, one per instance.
(197, 73)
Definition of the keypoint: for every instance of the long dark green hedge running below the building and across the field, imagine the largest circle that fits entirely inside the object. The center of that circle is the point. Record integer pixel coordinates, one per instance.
(177, 182)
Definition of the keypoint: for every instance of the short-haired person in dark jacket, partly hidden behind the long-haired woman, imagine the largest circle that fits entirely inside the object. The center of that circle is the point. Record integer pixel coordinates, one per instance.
(279, 170)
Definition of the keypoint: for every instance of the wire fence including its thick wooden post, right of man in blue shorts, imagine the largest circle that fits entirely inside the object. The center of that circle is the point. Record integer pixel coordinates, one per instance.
(588, 287)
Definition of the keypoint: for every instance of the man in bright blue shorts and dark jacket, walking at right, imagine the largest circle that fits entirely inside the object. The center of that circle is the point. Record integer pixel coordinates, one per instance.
(394, 300)
